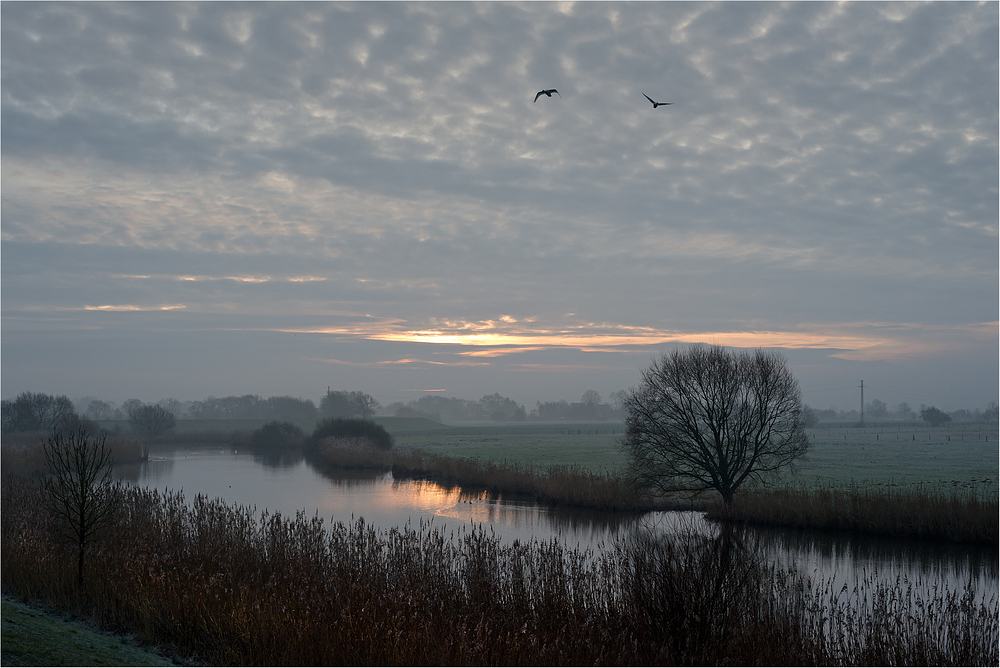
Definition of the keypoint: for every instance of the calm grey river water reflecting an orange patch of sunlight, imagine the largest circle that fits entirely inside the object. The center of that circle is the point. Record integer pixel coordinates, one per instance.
(288, 484)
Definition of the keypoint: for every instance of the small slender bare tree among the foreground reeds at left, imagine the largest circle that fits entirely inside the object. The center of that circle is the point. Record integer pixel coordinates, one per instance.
(80, 490)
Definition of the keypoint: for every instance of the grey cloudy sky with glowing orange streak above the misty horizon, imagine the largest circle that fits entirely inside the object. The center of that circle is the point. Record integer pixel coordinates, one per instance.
(222, 198)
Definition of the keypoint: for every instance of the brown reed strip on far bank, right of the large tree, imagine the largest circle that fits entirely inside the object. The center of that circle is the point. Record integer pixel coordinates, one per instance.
(910, 512)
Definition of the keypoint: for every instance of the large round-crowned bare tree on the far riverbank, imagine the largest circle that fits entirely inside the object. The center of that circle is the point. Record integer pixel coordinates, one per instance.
(706, 419)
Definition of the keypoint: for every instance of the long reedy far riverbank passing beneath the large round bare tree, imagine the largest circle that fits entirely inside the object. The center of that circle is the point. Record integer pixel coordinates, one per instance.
(905, 511)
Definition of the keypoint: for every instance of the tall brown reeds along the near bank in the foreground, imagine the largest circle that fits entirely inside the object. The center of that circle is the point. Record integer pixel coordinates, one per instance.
(220, 584)
